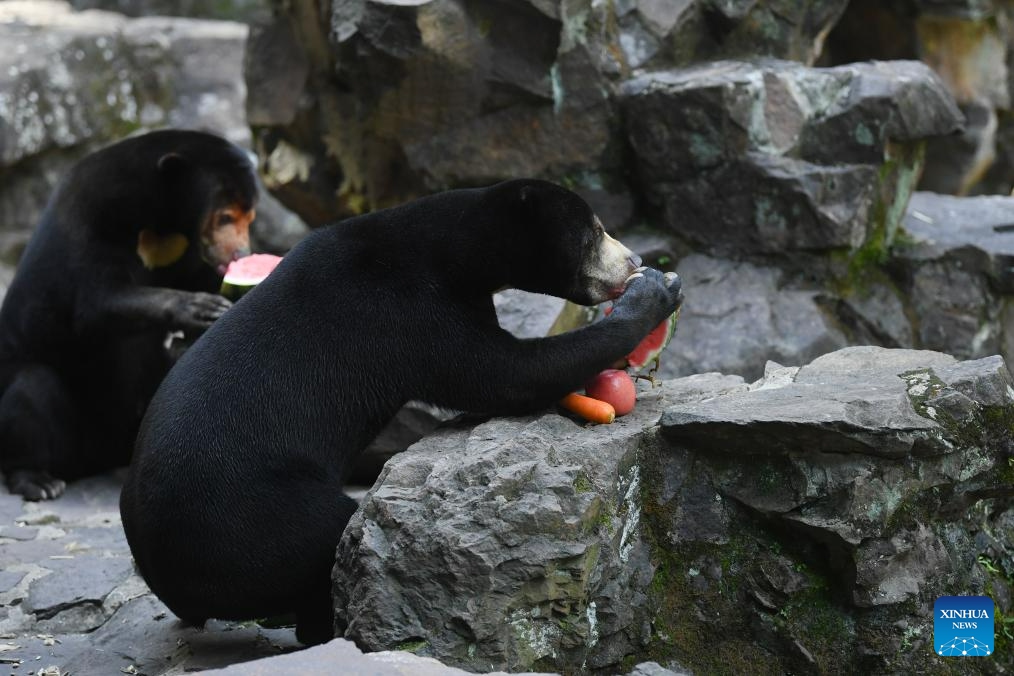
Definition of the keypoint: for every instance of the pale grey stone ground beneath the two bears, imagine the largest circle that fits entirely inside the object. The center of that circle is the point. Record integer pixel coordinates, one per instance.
(71, 604)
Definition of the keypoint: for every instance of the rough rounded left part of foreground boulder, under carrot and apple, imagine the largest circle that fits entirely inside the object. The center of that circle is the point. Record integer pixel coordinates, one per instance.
(531, 557)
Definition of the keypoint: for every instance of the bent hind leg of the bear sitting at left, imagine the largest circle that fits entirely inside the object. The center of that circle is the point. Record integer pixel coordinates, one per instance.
(38, 443)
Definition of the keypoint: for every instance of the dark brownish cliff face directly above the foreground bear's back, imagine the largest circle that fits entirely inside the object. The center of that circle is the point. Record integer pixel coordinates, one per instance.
(496, 92)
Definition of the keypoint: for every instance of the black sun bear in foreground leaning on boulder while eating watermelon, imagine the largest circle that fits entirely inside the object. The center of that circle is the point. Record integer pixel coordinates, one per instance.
(234, 504)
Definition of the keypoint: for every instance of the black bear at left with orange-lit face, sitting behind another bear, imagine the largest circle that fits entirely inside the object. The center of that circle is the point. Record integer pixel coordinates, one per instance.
(131, 247)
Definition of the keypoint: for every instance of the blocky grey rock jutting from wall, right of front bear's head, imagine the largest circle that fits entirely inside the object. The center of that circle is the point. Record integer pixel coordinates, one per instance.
(771, 158)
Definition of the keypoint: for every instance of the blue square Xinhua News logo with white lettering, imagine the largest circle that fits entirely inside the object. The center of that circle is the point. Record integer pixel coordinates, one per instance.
(963, 626)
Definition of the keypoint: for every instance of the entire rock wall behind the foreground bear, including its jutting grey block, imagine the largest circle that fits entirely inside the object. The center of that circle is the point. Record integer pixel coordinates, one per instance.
(762, 157)
